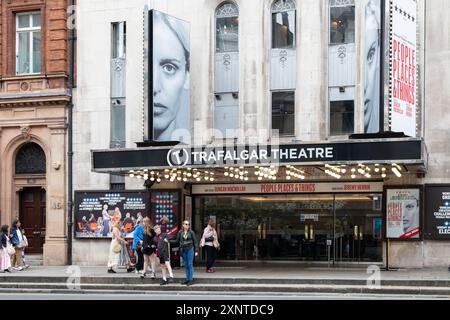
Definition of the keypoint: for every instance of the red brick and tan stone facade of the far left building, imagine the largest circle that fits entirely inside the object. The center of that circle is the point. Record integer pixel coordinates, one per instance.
(33, 109)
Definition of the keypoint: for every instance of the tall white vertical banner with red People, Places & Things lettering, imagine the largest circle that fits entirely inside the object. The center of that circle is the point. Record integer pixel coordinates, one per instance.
(403, 67)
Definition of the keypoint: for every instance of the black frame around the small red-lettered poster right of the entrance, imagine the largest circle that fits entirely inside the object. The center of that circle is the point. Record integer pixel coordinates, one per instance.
(421, 210)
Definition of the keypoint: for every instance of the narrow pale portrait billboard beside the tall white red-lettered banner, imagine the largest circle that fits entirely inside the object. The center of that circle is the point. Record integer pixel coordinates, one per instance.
(372, 55)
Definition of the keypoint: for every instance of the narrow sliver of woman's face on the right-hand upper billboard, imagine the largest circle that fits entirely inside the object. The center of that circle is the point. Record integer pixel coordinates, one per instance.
(372, 61)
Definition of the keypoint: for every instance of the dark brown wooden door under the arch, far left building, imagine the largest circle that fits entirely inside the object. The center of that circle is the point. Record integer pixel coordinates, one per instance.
(32, 217)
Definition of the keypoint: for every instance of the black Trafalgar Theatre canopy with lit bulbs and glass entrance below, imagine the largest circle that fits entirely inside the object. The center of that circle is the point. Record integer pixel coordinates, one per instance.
(315, 203)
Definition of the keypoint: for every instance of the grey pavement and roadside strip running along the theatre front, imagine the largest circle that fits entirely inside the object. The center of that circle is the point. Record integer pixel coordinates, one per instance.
(273, 279)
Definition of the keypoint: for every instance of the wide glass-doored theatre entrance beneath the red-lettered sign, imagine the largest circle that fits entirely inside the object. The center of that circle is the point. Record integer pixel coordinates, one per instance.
(293, 227)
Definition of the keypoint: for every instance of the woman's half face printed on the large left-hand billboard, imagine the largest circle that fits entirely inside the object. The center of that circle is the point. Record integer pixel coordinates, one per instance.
(170, 75)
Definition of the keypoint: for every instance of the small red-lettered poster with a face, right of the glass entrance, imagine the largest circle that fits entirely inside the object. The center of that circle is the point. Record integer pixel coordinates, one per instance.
(403, 213)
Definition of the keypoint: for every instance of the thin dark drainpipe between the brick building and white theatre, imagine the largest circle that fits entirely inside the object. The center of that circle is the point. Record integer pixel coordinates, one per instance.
(70, 86)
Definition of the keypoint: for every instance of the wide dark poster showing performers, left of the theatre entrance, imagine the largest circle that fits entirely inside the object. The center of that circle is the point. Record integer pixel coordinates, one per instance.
(97, 211)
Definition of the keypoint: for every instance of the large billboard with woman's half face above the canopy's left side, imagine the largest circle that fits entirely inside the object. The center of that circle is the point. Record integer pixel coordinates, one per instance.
(169, 78)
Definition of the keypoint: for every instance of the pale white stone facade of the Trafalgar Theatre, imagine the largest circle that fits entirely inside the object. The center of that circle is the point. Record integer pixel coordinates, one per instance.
(92, 125)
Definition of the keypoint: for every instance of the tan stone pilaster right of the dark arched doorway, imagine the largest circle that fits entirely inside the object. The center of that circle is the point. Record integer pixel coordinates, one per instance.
(55, 247)
